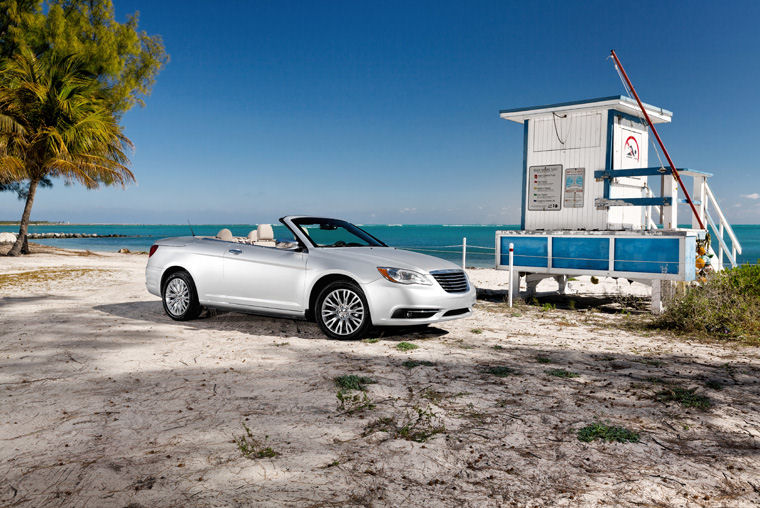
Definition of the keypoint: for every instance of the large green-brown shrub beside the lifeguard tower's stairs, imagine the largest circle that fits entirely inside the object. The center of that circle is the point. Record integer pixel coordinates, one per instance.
(727, 305)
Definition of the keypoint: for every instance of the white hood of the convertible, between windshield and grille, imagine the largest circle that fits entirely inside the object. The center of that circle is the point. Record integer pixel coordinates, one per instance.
(391, 257)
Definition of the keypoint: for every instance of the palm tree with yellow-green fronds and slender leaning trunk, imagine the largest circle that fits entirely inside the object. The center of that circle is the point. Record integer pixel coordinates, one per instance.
(55, 122)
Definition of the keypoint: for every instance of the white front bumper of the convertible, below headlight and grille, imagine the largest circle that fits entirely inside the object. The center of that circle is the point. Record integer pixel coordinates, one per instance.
(386, 299)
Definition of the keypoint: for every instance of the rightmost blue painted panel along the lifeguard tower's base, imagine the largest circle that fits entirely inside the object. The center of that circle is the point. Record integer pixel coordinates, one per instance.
(647, 255)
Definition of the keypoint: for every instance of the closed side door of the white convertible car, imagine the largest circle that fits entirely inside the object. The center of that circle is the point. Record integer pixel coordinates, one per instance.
(265, 277)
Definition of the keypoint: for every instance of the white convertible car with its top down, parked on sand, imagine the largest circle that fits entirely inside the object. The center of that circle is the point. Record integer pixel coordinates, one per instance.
(329, 270)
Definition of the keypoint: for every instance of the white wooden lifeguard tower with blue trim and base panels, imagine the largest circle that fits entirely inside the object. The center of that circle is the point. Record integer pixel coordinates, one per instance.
(593, 204)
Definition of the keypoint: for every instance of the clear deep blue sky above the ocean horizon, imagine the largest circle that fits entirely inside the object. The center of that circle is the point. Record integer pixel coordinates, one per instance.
(387, 112)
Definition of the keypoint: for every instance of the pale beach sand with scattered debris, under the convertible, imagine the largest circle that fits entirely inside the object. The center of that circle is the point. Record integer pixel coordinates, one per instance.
(104, 401)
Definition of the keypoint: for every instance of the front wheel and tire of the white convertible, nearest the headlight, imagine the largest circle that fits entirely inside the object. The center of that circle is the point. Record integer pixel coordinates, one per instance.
(342, 311)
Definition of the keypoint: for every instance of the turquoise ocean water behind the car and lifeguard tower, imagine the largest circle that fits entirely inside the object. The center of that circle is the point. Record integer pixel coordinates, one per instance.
(442, 240)
